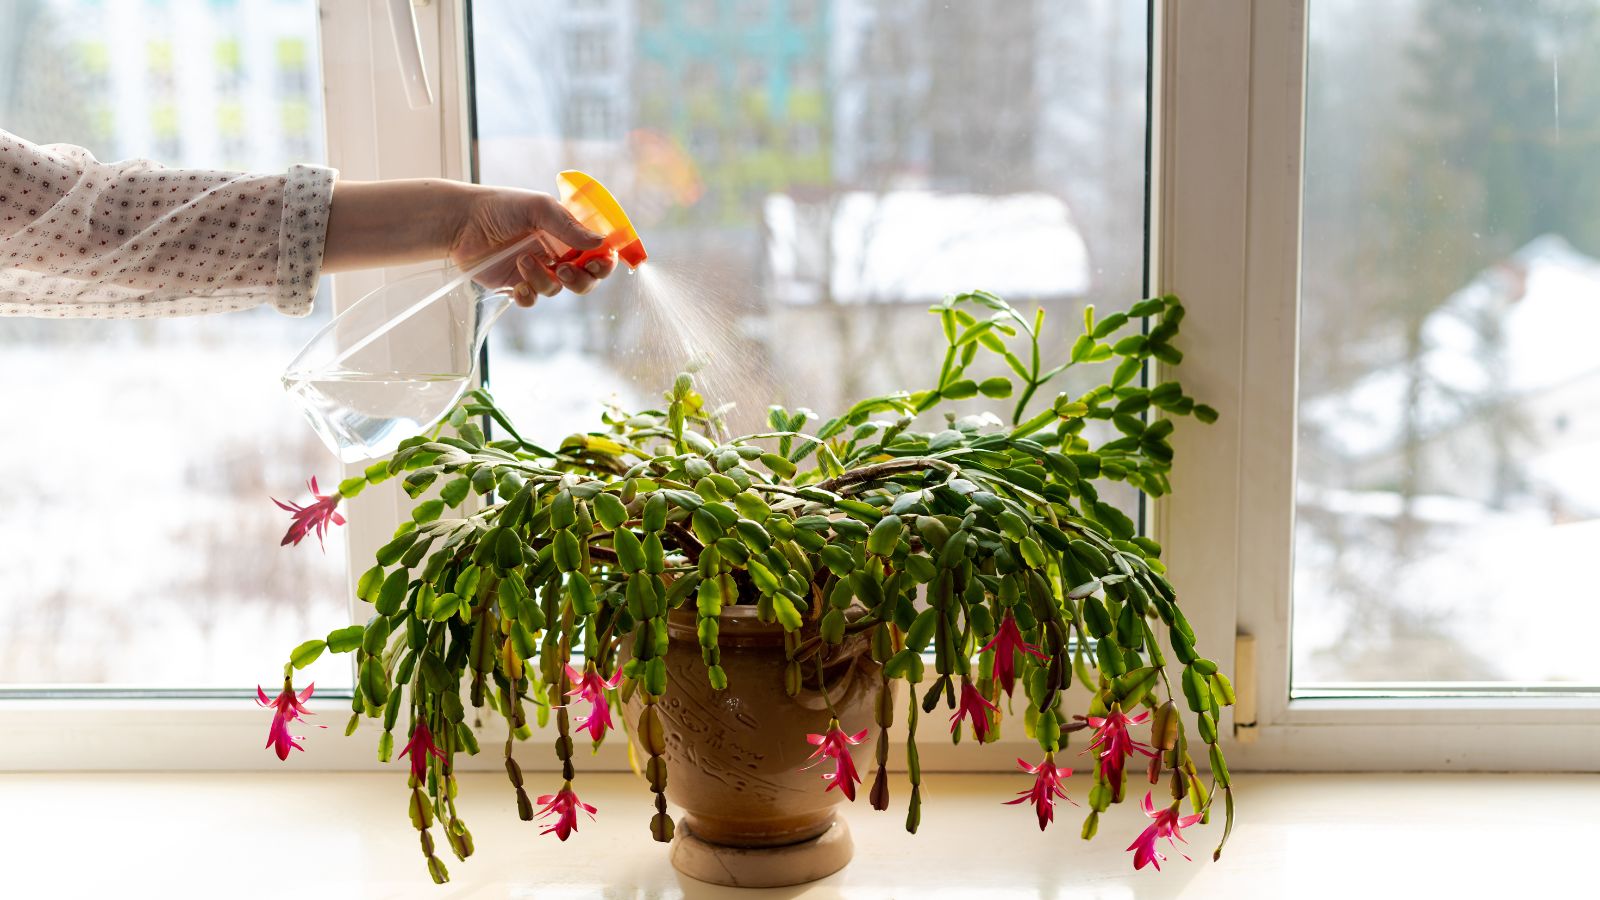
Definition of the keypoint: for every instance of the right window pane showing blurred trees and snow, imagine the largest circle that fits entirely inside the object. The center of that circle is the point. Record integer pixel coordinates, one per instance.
(1449, 388)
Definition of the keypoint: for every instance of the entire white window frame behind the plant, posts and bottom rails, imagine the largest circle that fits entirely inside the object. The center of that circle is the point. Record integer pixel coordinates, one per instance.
(1225, 196)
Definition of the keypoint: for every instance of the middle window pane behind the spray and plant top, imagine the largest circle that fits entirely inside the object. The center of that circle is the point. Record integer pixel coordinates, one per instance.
(812, 175)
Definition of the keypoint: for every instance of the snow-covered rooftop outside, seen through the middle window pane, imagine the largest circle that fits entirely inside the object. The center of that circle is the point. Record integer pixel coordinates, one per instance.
(919, 246)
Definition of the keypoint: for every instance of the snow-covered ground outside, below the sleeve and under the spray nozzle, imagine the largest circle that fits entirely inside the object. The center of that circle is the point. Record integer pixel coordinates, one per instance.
(138, 540)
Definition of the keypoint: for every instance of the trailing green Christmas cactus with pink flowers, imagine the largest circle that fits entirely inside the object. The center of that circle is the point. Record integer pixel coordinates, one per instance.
(983, 547)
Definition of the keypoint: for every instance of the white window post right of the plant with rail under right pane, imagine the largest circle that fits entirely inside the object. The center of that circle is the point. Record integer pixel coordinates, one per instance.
(1228, 209)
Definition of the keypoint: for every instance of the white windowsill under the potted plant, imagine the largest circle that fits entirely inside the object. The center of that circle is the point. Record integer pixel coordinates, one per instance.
(346, 835)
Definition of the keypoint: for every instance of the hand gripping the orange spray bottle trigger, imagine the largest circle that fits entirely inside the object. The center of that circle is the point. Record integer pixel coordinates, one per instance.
(497, 217)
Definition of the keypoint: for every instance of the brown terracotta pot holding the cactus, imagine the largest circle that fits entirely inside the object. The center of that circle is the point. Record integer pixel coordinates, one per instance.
(753, 818)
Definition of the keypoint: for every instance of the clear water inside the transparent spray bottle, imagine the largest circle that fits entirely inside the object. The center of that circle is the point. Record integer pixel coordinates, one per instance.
(362, 416)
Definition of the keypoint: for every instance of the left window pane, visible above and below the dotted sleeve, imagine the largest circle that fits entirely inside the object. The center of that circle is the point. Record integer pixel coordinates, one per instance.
(138, 544)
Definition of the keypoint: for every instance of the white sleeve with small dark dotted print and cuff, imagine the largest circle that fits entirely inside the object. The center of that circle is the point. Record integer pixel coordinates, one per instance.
(134, 239)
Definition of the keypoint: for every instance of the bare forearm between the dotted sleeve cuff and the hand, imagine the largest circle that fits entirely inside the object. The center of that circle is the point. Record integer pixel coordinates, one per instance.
(393, 223)
